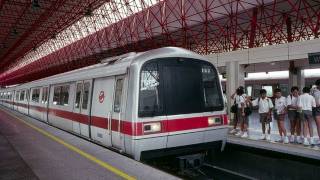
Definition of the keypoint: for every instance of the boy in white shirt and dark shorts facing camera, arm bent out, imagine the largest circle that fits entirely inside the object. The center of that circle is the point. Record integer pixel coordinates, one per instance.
(265, 109)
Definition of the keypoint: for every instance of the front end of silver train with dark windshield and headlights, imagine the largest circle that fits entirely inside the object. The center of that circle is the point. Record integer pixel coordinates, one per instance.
(180, 108)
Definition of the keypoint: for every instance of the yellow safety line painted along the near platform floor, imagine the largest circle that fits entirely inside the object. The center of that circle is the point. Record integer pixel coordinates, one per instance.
(77, 150)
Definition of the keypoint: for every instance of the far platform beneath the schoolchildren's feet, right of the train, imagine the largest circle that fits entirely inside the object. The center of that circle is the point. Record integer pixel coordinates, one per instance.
(295, 149)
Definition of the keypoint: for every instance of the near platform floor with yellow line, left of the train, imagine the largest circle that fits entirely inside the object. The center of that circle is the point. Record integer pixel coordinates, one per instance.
(35, 150)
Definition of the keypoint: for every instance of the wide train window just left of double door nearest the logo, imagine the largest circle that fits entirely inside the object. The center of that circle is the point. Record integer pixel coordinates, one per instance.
(61, 95)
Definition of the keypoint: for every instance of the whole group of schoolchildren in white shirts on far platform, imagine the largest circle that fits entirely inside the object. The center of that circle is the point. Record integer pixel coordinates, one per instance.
(301, 108)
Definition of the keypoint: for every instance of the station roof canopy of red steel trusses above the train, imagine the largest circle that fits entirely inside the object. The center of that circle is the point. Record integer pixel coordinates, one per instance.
(39, 38)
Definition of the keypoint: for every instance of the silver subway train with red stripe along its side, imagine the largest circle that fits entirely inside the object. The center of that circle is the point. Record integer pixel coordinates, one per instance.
(166, 101)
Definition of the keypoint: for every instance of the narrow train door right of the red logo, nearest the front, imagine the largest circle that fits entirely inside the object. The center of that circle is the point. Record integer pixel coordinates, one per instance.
(117, 136)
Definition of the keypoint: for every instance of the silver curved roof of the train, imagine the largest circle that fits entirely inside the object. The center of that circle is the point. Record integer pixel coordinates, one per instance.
(110, 66)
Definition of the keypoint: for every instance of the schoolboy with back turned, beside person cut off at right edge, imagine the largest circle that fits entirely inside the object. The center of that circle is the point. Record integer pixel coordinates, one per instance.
(305, 104)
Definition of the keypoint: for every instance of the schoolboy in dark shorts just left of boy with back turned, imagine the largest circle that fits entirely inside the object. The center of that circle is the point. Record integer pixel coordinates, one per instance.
(293, 115)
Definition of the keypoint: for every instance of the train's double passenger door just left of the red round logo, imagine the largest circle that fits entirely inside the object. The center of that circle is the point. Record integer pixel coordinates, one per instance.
(81, 107)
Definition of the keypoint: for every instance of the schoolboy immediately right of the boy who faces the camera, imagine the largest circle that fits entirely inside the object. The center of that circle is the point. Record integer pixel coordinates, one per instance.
(280, 113)
